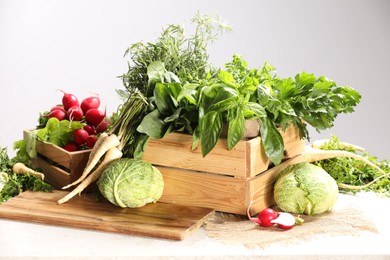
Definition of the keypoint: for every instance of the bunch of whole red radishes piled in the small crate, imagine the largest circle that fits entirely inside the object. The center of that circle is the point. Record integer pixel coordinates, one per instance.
(87, 112)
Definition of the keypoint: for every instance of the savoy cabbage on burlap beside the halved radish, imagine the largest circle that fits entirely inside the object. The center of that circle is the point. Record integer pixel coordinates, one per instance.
(305, 188)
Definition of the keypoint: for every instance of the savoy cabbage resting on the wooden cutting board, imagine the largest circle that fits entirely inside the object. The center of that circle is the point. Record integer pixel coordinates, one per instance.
(131, 183)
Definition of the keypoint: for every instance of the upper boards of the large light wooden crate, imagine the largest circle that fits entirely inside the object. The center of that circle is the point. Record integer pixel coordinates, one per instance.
(246, 160)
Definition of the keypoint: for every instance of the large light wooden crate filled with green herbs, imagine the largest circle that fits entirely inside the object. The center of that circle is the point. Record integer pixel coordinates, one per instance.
(224, 180)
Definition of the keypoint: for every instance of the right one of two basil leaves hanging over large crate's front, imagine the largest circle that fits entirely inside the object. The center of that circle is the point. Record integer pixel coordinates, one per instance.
(236, 126)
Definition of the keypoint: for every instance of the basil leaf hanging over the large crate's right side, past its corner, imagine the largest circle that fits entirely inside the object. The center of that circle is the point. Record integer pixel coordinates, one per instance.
(272, 141)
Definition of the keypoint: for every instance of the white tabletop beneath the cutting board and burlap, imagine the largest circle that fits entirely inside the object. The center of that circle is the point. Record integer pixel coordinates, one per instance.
(23, 239)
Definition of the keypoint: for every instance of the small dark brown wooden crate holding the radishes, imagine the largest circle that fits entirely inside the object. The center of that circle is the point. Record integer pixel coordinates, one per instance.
(59, 166)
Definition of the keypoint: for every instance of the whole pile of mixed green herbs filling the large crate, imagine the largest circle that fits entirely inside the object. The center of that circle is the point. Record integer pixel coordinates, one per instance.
(186, 93)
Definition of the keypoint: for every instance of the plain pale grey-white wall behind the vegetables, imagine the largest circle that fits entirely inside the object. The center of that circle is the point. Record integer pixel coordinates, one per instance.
(78, 46)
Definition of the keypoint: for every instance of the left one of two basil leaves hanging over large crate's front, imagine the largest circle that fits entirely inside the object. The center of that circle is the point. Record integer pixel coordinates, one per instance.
(210, 130)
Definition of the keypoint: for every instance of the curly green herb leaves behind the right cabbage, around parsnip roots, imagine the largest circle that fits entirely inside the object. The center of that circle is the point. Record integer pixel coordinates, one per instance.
(353, 172)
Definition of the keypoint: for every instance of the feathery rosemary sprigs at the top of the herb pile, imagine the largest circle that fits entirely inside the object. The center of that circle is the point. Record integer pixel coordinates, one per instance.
(184, 56)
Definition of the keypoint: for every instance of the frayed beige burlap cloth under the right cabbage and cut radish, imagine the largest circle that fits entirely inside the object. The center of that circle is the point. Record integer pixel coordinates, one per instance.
(237, 229)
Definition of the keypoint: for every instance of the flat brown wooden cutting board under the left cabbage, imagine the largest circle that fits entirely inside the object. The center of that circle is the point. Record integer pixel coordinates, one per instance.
(161, 220)
